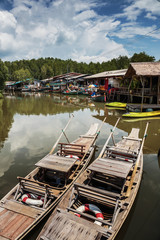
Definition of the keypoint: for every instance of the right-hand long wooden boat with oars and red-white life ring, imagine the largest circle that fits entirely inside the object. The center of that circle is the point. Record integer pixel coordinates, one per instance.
(101, 198)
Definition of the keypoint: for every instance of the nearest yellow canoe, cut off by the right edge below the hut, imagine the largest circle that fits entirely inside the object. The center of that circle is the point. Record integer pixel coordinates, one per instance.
(141, 114)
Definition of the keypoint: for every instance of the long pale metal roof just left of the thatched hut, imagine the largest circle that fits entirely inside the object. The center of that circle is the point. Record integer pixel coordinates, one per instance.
(114, 73)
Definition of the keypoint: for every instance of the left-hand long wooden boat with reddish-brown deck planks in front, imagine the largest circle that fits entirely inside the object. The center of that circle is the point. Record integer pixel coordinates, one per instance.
(40, 191)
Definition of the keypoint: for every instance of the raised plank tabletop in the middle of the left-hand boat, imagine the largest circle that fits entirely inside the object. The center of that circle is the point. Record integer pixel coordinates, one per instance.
(56, 163)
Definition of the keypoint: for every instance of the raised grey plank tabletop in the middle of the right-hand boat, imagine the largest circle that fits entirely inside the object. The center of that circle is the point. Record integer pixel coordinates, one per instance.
(111, 167)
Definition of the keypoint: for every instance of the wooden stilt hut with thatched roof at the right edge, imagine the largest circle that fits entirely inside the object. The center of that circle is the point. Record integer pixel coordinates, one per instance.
(144, 83)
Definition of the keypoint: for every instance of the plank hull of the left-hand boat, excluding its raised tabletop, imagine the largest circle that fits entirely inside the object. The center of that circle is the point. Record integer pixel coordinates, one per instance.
(17, 218)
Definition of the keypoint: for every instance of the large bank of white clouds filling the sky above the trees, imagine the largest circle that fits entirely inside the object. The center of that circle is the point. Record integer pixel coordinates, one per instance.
(68, 29)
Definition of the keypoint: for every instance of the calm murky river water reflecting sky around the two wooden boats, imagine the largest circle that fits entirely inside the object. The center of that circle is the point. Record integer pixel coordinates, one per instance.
(30, 125)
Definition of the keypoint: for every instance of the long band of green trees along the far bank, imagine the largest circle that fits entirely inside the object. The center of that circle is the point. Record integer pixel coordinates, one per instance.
(43, 68)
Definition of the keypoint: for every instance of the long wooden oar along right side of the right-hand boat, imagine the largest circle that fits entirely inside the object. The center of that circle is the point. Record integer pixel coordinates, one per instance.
(137, 162)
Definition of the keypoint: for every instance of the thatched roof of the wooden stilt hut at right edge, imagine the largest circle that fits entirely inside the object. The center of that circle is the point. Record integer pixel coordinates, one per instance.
(143, 69)
